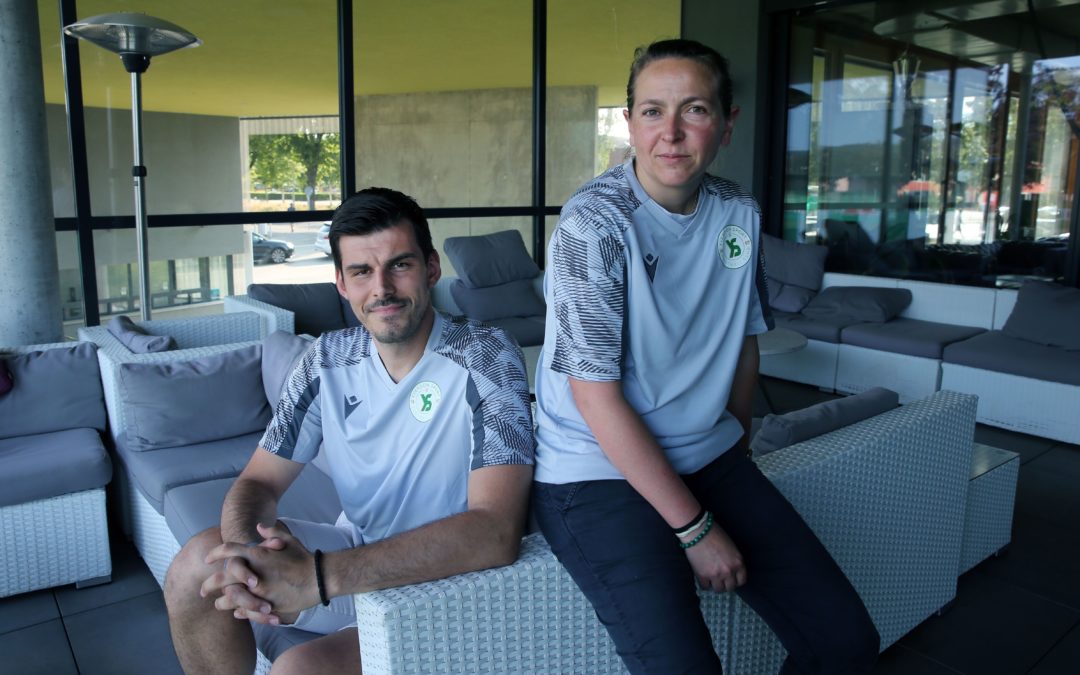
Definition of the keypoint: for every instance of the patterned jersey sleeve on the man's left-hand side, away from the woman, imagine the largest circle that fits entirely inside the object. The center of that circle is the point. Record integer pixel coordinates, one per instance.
(295, 430)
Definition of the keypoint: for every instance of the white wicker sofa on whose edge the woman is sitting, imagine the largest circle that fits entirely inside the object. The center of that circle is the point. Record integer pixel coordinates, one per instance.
(887, 496)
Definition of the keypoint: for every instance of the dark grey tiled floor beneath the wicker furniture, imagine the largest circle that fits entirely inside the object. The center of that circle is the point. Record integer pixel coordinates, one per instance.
(1014, 615)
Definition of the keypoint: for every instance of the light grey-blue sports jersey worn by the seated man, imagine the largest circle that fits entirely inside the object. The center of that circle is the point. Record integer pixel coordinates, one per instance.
(400, 453)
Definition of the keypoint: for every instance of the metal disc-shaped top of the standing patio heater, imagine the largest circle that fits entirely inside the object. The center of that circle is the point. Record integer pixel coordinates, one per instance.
(130, 33)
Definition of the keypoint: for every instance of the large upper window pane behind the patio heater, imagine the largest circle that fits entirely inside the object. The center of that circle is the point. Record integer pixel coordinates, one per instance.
(258, 61)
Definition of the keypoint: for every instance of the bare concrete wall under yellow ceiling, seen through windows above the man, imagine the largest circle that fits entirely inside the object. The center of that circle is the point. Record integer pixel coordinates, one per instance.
(474, 148)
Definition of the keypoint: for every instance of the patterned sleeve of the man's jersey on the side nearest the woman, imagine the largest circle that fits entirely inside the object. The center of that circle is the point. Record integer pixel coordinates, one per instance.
(499, 395)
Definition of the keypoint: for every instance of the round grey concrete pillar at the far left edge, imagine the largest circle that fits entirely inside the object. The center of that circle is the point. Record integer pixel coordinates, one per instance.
(30, 280)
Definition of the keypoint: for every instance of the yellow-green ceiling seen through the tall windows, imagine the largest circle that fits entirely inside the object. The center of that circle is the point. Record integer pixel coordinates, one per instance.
(280, 59)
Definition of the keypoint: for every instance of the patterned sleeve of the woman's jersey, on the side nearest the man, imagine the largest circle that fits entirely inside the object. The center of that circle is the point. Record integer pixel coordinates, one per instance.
(588, 273)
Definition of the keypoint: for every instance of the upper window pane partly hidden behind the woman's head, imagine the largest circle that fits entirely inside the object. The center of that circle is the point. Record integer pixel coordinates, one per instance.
(590, 49)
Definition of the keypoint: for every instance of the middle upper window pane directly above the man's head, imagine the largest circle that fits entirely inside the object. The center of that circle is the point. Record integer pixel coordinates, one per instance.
(444, 101)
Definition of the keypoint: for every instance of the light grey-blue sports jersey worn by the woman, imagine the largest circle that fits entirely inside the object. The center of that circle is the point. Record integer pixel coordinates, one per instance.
(660, 302)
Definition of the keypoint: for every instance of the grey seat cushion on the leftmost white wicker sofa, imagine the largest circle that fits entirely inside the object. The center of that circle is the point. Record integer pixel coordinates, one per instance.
(50, 465)
